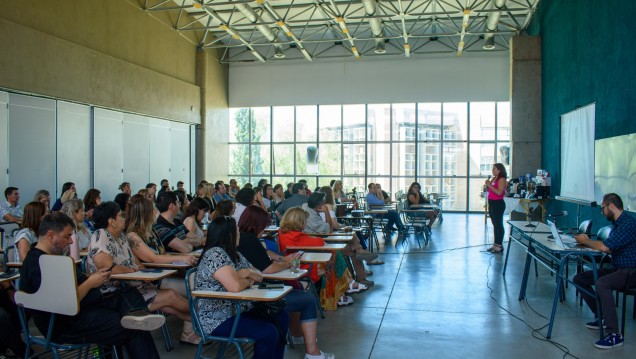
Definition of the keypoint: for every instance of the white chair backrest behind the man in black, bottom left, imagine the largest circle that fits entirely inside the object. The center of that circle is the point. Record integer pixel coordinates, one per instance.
(58, 289)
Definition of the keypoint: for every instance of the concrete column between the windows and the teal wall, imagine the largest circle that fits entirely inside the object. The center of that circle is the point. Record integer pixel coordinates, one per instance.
(525, 102)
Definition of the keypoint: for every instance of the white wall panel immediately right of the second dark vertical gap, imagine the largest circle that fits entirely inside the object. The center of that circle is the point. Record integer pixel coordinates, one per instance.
(108, 154)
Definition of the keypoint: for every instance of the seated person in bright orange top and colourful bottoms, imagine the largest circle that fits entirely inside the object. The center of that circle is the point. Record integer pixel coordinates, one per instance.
(338, 279)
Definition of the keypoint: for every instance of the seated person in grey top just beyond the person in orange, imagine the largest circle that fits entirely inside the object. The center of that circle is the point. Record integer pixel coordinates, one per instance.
(315, 207)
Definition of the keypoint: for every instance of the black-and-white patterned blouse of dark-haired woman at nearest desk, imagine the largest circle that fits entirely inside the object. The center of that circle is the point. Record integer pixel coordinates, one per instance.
(213, 312)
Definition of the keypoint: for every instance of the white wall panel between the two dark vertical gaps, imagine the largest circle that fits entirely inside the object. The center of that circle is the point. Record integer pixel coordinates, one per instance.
(74, 135)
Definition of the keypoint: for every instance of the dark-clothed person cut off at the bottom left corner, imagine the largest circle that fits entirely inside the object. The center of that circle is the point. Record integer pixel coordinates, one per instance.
(9, 324)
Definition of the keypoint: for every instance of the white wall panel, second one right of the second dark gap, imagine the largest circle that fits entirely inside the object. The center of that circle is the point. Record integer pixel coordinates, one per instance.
(136, 151)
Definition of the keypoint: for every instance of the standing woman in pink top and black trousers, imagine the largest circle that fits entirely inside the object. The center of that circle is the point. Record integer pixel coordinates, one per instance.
(496, 206)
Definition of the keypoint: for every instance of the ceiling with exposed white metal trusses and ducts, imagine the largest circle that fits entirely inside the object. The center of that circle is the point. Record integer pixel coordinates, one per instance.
(308, 30)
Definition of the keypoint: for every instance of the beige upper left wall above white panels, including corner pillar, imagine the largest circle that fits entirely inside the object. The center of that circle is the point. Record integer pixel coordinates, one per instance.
(110, 53)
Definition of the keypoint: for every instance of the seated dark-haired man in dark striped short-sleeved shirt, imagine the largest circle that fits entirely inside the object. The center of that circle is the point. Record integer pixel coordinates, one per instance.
(170, 230)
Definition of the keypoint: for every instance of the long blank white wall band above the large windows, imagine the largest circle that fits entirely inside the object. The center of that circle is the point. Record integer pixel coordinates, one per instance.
(421, 78)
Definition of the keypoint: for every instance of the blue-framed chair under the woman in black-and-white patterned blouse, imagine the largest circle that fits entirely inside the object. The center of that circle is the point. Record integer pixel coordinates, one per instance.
(198, 329)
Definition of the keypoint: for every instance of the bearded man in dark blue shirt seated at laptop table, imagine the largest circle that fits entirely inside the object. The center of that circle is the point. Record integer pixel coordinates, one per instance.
(621, 244)
